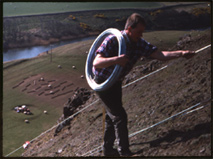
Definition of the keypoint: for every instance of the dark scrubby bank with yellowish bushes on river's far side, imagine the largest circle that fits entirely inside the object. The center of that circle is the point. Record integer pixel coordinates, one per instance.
(26, 31)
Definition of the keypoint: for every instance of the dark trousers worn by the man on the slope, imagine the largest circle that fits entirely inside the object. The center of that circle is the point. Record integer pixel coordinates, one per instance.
(116, 118)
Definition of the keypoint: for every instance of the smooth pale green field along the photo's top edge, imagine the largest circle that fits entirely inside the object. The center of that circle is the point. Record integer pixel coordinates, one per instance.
(29, 8)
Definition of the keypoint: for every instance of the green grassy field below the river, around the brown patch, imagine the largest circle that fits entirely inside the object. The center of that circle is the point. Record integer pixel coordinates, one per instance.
(15, 131)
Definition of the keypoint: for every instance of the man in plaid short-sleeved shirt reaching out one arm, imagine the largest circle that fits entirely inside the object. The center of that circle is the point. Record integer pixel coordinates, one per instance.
(103, 65)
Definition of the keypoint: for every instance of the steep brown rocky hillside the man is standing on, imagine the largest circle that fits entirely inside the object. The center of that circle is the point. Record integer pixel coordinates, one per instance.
(184, 83)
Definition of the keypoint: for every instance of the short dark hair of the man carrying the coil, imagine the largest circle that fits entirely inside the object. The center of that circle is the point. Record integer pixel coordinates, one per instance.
(133, 20)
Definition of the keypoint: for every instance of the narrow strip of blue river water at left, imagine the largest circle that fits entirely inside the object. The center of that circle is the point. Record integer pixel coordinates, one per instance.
(30, 52)
